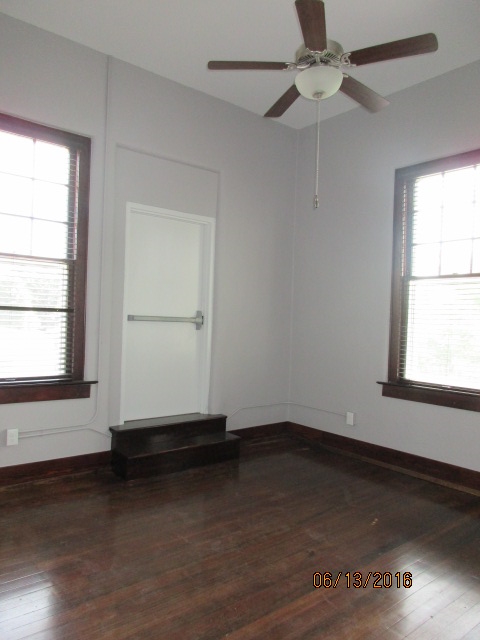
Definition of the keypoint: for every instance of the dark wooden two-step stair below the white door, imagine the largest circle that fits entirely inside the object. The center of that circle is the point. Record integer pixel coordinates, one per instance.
(155, 446)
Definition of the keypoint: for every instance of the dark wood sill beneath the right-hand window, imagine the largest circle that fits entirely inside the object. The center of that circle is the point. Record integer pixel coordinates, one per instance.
(456, 399)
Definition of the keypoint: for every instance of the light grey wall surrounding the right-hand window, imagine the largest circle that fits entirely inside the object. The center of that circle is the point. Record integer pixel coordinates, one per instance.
(342, 268)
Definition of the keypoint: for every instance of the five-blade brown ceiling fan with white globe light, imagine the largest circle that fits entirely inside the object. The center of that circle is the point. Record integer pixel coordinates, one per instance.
(321, 62)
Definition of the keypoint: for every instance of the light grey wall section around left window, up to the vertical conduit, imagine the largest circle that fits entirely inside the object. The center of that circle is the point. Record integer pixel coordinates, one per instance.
(58, 83)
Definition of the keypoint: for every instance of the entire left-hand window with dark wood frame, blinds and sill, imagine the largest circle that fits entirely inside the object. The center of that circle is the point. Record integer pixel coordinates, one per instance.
(44, 189)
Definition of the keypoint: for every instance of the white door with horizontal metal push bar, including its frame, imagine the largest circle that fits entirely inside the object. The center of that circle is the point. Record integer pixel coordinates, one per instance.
(168, 280)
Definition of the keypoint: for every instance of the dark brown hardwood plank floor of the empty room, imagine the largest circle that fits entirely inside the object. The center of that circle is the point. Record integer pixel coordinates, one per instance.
(230, 551)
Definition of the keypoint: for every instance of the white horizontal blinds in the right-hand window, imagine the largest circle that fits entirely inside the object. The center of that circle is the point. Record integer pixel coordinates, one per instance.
(440, 336)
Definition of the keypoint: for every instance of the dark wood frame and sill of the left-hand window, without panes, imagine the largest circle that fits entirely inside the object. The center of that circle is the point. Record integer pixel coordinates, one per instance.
(72, 385)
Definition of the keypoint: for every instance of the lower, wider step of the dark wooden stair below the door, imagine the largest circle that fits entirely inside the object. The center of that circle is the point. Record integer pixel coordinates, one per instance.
(170, 453)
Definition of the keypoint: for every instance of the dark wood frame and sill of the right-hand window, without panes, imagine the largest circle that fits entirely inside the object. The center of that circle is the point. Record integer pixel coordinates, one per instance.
(396, 387)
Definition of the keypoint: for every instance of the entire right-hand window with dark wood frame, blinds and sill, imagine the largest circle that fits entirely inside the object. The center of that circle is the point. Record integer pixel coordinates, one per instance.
(435, 312)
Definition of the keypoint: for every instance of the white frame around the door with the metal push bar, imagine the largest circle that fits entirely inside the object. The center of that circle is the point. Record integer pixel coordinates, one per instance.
(207, 226)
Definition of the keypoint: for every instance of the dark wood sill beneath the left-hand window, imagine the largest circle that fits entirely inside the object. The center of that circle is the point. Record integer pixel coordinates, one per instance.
(42, 391)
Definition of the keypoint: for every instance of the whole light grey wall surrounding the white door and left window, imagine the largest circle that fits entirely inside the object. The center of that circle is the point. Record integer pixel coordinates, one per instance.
(244, 160)
